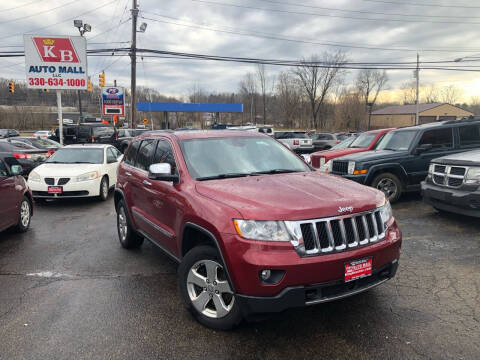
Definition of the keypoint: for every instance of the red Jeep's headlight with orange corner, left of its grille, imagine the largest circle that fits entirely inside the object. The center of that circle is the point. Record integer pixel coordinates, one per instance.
(262, 230)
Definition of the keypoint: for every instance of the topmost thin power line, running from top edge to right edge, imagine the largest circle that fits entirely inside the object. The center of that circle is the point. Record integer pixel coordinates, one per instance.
(333, 16)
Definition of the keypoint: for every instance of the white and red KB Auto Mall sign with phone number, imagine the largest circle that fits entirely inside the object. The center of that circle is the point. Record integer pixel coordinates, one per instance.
(56, 62)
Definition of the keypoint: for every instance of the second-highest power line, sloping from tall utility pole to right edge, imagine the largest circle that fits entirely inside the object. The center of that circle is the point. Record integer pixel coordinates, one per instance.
(264, 35)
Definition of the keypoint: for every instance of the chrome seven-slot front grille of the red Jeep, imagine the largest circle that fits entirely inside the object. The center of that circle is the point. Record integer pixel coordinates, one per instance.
(341, 233)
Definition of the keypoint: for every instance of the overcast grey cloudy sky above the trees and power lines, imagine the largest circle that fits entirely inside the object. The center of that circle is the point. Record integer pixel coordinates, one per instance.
(183, 25)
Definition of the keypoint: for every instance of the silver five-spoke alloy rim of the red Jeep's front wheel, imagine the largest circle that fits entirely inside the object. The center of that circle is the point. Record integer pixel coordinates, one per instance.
(209, 290)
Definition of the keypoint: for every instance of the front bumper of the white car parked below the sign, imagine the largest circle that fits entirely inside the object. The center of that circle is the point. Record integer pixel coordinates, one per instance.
(70, 190)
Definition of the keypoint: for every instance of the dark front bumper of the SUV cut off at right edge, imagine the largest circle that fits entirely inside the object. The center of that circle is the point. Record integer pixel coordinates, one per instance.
(460, 201)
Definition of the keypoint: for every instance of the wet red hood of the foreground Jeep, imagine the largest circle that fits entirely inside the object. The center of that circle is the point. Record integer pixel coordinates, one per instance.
(292, 196)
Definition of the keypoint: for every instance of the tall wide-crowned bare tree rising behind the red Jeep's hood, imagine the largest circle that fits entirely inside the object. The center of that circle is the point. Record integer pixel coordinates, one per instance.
(317, 82)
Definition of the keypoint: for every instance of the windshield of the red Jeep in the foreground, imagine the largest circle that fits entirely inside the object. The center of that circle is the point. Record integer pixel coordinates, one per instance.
(217, 158)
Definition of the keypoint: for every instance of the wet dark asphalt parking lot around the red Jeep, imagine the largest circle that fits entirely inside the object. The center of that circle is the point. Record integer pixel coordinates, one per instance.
(68, 290)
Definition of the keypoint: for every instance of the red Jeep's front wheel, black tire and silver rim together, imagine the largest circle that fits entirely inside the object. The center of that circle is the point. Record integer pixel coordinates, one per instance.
(206, 290)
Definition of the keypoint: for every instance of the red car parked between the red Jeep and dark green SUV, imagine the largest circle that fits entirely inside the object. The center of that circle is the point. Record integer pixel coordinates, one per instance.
(366, 141)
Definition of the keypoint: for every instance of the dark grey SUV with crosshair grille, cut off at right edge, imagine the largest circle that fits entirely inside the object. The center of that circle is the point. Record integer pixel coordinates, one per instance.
(453, 183)
